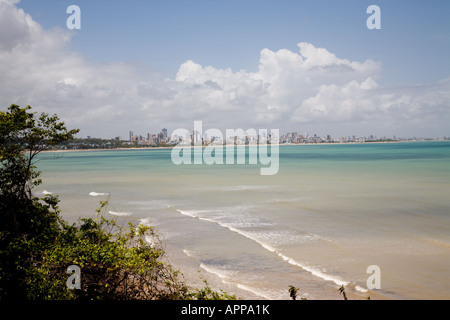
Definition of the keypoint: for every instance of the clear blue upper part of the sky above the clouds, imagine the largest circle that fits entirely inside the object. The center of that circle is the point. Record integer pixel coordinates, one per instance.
(413, 44)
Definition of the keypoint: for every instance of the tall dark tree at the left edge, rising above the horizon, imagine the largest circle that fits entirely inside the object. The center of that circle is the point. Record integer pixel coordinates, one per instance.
(25, 221)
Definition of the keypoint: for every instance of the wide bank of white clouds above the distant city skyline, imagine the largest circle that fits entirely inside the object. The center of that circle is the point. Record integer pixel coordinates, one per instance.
(289, 90)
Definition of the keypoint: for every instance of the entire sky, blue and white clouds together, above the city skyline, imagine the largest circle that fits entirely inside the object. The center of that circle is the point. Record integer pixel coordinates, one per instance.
(300, 66)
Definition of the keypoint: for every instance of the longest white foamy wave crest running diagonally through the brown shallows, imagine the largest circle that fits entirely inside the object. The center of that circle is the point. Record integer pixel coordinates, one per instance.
(314, 271)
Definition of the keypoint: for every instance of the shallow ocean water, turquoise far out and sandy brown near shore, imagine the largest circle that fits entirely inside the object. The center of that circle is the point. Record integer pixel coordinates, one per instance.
(330, 214)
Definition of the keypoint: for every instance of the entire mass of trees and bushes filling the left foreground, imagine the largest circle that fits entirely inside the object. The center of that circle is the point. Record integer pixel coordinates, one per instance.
(37, 246)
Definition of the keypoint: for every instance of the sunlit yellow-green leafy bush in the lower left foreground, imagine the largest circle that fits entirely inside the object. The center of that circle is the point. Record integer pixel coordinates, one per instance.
(116, 263)
